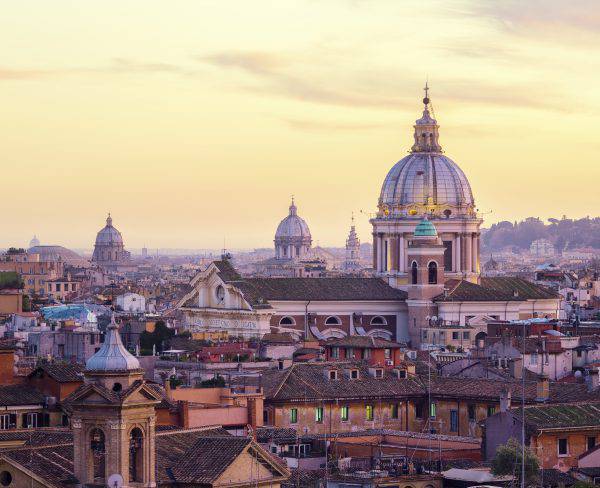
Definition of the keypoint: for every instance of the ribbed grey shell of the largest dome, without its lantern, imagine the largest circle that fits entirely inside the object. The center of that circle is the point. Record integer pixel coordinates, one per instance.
(424, 178)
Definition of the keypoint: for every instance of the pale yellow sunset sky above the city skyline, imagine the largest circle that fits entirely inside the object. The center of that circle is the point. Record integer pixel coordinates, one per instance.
(194, 121)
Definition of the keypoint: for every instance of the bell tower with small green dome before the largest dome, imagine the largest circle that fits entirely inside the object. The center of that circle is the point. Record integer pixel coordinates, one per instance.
(425, 256)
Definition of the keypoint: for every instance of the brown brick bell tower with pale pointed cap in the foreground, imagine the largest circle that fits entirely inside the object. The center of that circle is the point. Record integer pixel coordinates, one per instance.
(113, 419)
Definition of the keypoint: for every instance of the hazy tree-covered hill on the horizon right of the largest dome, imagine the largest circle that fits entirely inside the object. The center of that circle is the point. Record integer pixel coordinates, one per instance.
(564, 233)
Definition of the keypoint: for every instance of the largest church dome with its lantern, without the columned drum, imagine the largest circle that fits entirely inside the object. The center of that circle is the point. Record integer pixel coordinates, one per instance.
(426, 181)
